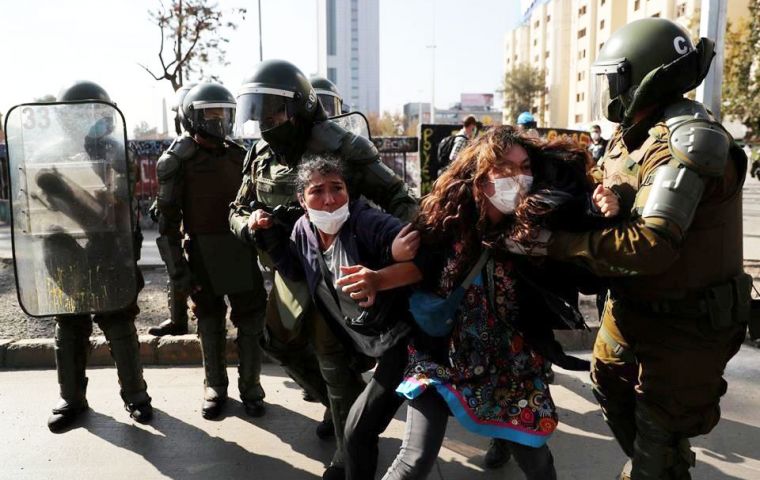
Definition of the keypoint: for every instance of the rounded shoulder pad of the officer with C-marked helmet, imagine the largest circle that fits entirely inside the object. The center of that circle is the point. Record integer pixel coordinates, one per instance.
(699, 142)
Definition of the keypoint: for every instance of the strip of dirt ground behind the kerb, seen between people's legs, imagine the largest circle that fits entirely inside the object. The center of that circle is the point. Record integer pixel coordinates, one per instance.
(15, 324)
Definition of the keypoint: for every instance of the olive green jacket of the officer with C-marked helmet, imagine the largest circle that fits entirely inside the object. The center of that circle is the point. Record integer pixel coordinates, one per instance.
(652, 258)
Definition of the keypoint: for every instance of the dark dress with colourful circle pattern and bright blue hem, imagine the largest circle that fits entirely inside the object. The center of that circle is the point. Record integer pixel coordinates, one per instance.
(493, 383)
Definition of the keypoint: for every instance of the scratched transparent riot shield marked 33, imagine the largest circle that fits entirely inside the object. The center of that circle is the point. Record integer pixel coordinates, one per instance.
(70, 208)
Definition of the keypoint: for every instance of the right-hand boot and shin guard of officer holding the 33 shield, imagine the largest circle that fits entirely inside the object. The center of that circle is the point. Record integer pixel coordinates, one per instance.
(121, 335)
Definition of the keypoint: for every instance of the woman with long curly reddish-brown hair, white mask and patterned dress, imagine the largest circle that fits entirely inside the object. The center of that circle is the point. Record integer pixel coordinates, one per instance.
(488, 372)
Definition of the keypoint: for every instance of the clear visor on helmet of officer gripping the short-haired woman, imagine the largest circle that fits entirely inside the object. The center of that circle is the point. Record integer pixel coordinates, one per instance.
(259, 111)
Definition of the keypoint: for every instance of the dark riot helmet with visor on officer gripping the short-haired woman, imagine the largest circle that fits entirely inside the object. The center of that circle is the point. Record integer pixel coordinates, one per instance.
(277, 103)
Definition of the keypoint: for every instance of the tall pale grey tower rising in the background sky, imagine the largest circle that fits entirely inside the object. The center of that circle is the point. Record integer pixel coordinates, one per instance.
(348, 45)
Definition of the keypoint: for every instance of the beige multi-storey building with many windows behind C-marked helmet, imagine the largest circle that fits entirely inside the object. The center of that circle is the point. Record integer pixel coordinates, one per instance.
(564, 37)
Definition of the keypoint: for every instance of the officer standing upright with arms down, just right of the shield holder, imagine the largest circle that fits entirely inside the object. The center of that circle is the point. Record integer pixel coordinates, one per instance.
(199, 176)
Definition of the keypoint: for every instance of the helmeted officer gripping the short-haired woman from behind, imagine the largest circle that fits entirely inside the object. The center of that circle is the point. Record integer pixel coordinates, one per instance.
(279, 103)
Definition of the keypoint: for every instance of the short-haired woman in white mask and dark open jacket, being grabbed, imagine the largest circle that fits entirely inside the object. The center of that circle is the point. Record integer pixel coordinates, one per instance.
(346, 252)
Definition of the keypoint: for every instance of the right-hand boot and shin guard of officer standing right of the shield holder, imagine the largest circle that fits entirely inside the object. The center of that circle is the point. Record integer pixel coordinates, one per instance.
(249, 369)
